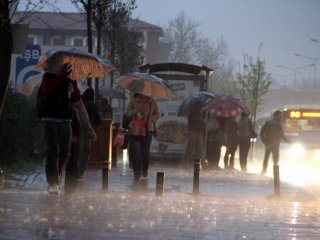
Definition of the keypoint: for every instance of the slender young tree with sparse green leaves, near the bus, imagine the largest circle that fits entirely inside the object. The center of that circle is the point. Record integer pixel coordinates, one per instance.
(253, 84)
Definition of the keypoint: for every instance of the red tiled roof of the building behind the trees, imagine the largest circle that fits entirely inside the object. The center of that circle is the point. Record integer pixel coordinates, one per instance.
(74, 21)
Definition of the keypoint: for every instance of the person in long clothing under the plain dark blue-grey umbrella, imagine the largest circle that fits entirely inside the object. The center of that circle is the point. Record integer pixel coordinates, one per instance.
(196, 126)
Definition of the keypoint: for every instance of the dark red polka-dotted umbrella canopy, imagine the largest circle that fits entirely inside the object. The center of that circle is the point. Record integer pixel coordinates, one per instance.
(225, 106)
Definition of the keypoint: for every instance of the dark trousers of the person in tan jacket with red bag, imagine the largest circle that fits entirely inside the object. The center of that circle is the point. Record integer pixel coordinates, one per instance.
(141, 153)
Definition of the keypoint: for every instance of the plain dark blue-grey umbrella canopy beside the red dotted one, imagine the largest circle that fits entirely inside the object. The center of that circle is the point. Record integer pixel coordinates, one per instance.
(203, 97)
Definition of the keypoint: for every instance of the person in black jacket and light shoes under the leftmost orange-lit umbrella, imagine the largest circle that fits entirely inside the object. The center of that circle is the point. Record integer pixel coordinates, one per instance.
(54, 108)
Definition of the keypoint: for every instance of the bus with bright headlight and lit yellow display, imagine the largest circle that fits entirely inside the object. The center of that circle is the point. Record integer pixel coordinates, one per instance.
(301, 124)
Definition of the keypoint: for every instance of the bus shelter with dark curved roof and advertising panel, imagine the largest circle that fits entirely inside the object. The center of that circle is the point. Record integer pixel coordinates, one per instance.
(185, 79)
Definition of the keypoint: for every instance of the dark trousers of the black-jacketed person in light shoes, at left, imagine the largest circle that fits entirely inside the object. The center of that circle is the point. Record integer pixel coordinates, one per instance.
(58, 140)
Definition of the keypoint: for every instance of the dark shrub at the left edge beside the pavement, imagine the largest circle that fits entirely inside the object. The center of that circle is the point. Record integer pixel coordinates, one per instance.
(20, 130)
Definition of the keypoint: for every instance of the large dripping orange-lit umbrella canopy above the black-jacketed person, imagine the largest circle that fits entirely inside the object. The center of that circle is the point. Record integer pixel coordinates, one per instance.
(83, 64)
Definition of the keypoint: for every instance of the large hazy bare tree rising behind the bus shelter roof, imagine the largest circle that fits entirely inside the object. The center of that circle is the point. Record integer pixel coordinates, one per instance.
(184, 43)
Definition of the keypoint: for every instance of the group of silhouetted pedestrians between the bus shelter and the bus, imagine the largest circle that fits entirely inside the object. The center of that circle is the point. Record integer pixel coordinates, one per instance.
(233, 134)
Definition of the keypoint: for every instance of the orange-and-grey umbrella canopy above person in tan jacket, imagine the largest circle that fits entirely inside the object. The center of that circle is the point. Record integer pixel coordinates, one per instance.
(147, 85)
